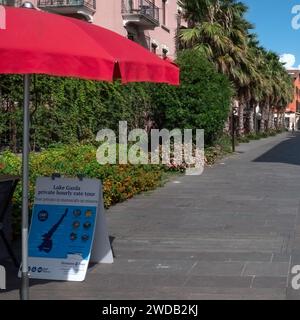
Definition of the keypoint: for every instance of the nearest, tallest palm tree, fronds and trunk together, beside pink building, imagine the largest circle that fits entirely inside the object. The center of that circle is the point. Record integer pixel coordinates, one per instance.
(220, 31)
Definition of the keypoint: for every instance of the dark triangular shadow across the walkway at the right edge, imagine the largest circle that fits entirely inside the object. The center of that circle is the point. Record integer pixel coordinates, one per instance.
(287, 151)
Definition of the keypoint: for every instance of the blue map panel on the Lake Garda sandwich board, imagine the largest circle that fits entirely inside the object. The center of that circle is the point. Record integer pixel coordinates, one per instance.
(57, 231)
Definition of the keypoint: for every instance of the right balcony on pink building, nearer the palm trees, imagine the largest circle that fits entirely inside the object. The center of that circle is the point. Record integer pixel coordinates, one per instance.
(143, 13)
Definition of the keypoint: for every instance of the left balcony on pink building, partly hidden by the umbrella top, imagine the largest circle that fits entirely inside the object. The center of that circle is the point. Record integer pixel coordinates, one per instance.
(69, 7)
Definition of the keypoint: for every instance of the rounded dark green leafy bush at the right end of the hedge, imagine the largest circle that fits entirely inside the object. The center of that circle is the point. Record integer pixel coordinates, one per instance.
(201, 101)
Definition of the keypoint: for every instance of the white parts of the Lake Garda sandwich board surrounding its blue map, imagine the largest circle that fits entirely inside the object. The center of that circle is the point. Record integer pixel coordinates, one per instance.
(58, 192)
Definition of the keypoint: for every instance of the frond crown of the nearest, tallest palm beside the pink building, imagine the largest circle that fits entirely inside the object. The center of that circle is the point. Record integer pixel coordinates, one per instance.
(217, 29)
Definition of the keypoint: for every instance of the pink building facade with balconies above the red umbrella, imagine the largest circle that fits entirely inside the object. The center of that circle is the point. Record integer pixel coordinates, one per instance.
(151, 23)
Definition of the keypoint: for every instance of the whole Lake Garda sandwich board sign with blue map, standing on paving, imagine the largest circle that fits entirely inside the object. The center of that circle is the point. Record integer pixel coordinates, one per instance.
(65, 216)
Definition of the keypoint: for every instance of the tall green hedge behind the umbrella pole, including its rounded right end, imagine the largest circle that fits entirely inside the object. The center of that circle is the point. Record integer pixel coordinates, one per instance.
(67, 110)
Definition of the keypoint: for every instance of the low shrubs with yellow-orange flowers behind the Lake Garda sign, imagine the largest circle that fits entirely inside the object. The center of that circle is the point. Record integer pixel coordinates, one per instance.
(120, 182)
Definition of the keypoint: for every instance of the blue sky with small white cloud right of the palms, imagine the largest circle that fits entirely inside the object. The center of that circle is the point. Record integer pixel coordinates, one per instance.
(273, 25)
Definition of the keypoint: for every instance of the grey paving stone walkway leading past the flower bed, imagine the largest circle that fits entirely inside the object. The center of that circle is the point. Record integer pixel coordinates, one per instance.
(232, 233)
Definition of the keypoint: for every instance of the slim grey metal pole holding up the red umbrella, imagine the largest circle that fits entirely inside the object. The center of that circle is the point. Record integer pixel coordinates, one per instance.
(25, 160)
